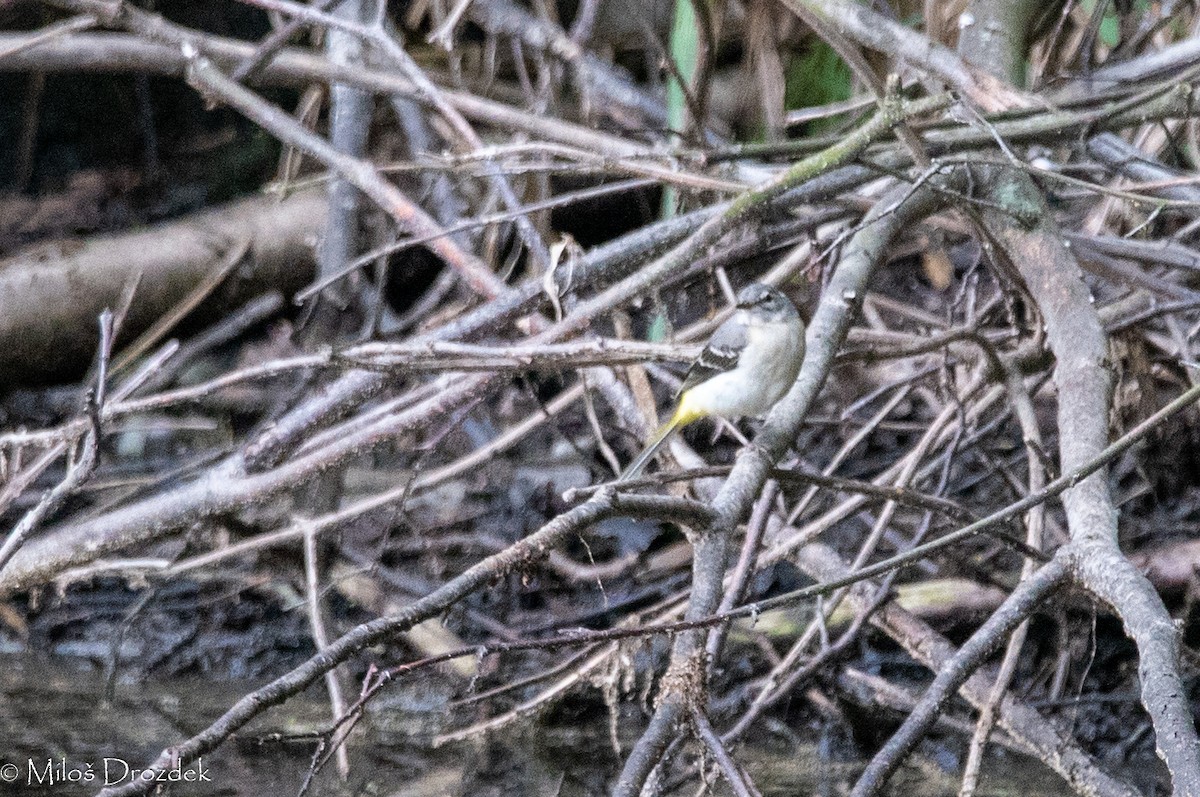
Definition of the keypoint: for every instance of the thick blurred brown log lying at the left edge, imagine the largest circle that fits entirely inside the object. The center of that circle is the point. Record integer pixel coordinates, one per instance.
(51, 295)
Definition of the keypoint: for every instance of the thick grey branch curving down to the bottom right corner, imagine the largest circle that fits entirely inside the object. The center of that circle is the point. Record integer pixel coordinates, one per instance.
(1024, 227)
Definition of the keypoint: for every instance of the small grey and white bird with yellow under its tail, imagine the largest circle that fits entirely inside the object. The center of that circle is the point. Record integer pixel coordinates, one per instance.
(748, 365)
